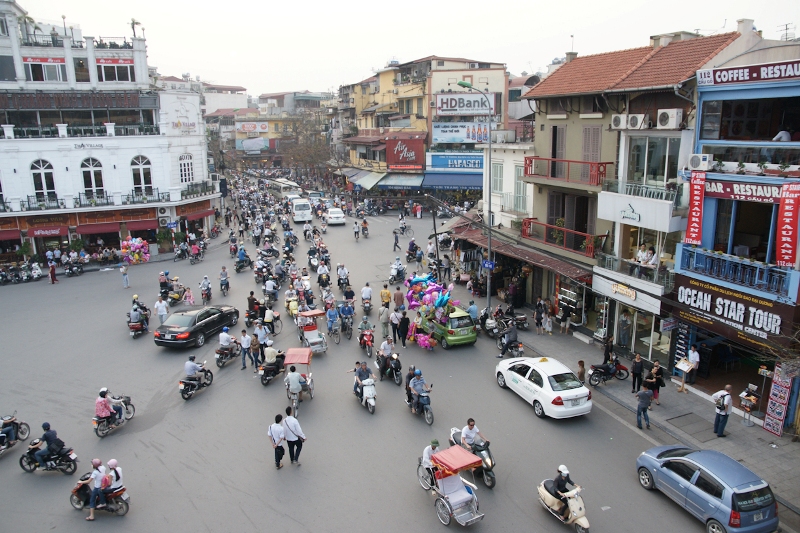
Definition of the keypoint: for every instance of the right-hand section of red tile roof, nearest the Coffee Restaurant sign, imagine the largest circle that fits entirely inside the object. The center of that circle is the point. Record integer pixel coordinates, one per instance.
(676, 62)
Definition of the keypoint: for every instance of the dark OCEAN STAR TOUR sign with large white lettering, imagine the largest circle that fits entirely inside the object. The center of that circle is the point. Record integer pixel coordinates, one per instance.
(737, 316)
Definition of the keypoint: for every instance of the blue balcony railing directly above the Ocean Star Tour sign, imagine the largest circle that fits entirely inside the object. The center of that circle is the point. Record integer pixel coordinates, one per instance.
(753, 274)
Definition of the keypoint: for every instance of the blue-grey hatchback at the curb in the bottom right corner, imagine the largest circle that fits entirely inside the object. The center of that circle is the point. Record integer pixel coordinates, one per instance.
(722, 493)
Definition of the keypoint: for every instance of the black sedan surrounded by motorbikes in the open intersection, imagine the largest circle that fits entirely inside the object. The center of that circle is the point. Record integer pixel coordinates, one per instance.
(192, 327)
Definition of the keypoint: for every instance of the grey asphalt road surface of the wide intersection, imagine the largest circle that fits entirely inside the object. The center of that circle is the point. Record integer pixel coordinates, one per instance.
(206, 464)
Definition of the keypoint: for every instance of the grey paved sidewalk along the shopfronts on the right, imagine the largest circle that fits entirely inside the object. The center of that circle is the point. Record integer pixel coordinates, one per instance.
(689, 418)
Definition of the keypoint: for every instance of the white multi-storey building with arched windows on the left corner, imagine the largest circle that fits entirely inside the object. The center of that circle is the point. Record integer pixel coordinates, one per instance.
(88, 149)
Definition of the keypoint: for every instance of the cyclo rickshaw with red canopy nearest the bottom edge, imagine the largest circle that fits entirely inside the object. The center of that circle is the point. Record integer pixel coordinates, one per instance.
(456, 497)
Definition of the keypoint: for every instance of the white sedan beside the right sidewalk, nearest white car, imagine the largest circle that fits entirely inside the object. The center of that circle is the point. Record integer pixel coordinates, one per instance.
(552, 388)
